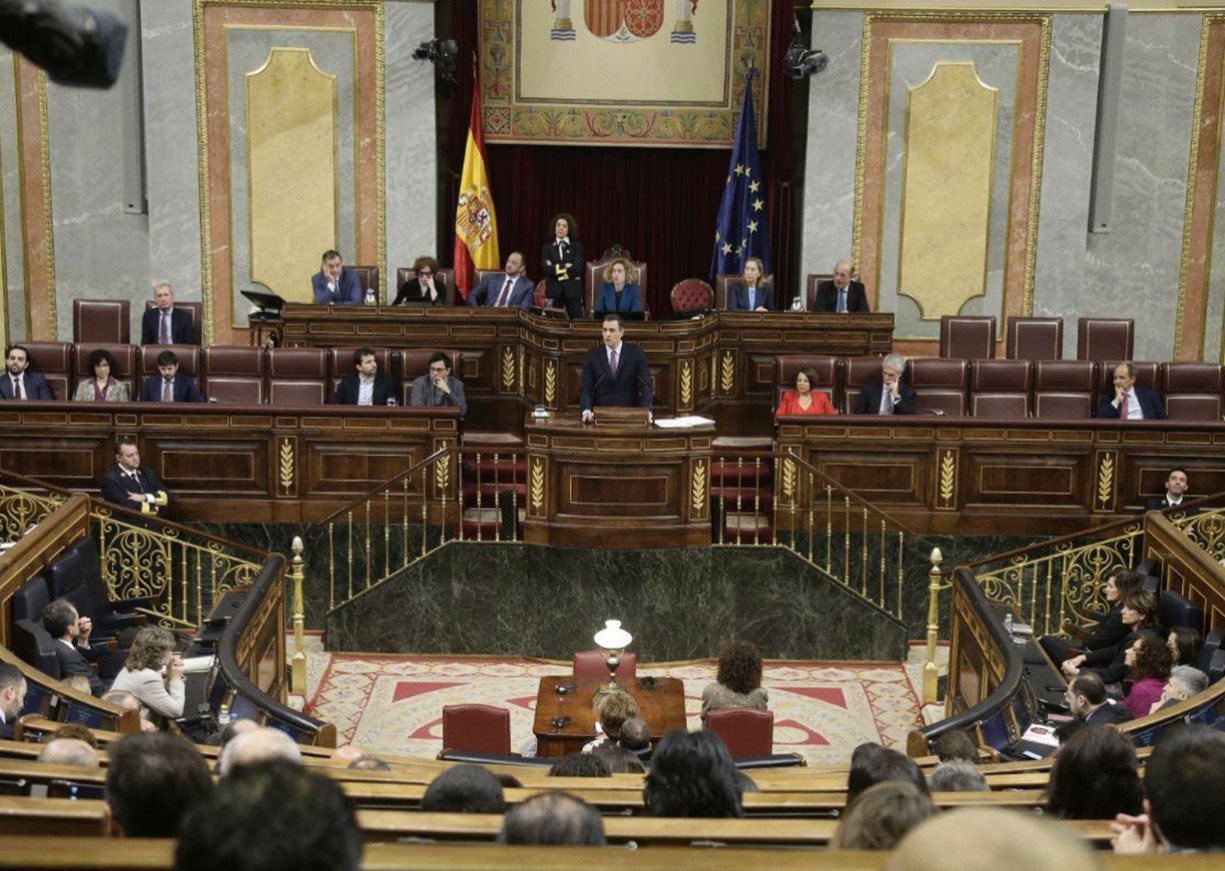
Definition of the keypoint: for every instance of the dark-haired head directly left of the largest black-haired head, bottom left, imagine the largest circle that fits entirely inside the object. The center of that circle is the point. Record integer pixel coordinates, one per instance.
(153, 781)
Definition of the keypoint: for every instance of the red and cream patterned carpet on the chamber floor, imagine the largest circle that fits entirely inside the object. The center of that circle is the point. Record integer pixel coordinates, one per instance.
(394, 705)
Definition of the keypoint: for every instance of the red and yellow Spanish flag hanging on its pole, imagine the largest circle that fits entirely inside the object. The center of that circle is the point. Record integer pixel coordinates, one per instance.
(476, 220)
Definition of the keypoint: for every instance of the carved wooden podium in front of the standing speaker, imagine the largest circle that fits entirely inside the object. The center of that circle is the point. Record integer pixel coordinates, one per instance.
(617, 485)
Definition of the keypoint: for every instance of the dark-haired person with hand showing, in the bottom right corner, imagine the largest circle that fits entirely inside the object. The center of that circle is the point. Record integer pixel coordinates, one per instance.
(1184, 801)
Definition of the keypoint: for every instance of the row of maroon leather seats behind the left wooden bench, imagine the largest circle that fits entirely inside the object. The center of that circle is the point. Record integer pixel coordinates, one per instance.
(231, 374)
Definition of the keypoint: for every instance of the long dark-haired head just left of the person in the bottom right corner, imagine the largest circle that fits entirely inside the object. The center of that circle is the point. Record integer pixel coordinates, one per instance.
(1095, 777)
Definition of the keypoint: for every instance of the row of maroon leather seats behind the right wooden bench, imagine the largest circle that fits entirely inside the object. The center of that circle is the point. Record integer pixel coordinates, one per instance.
(1069, 390)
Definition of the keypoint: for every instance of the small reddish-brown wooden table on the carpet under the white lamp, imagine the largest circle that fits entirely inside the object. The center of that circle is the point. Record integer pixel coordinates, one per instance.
(662, 706)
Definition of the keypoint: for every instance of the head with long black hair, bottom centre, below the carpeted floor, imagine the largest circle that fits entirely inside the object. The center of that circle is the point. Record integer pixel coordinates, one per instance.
(693, 776)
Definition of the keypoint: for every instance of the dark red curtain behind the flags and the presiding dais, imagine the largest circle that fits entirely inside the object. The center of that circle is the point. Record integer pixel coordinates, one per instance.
(660, 204)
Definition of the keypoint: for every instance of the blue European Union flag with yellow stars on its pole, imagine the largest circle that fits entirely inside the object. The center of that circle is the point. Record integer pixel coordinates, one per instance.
(743, 227)
